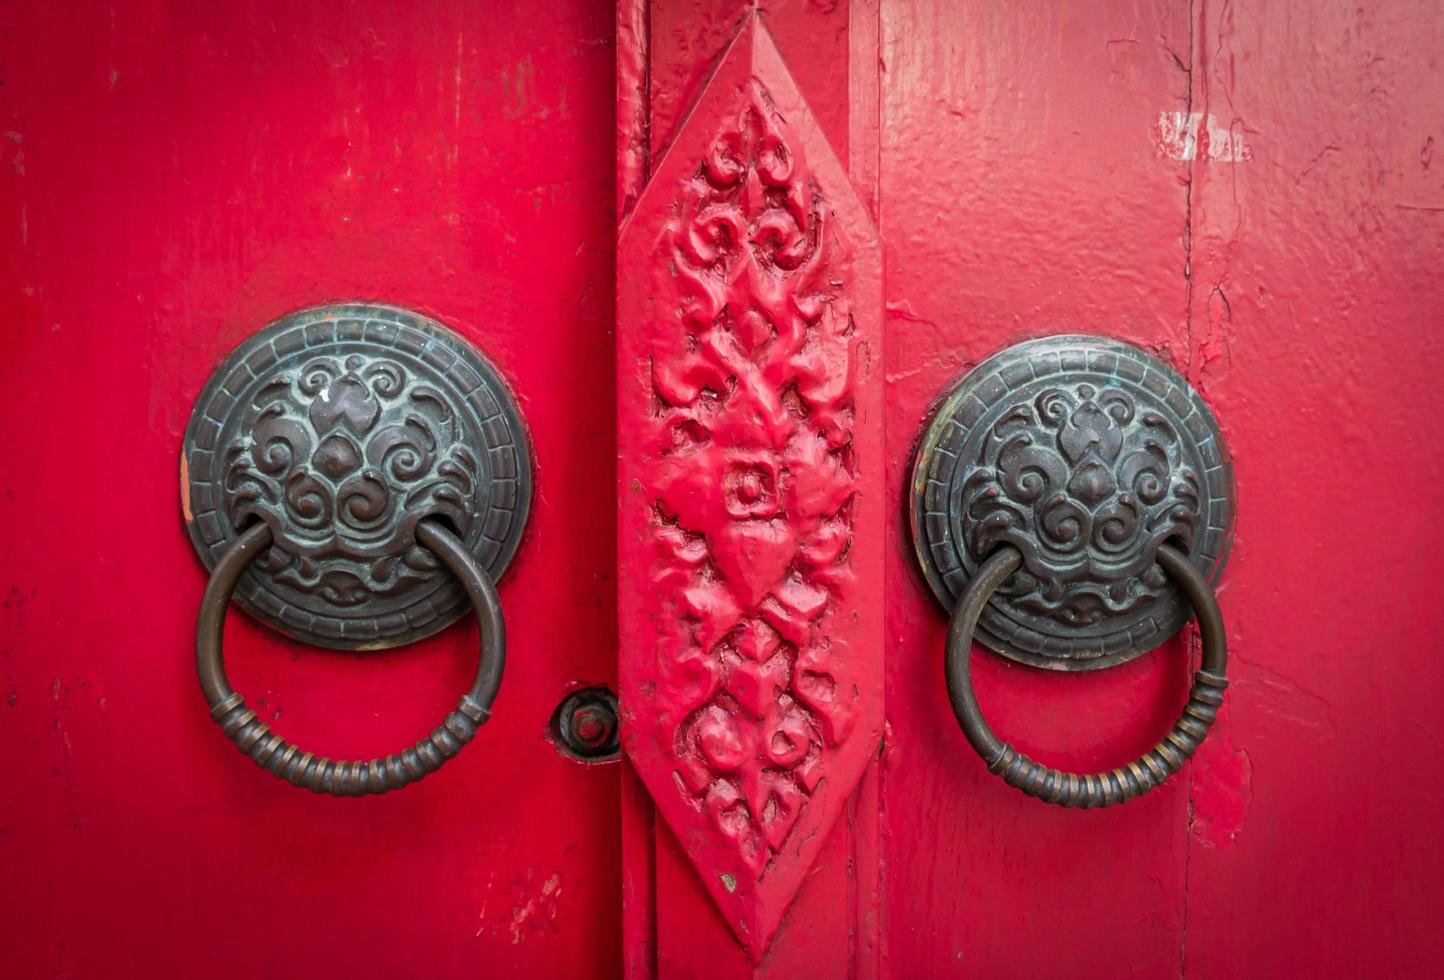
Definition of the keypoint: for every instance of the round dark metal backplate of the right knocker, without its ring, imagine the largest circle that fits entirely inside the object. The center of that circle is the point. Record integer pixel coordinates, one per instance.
(1085, 455)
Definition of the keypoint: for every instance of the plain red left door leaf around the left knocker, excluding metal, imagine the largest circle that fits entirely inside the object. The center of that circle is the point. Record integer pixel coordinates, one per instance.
(175, 175)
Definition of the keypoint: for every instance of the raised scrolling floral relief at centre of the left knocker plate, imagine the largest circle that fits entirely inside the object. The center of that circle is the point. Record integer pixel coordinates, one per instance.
(344, 486)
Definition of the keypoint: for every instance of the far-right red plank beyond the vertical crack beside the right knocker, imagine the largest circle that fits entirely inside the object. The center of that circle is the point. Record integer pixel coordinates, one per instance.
(1316, 301)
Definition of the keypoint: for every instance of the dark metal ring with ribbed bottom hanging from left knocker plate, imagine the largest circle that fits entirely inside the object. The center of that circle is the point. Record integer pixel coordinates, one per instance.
(318, 774)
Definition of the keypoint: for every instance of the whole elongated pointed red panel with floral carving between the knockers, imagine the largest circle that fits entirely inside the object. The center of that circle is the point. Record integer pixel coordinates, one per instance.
(752, 487)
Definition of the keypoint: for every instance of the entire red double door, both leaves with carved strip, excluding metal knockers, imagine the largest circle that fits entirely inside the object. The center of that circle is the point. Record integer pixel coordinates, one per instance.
(824, 214)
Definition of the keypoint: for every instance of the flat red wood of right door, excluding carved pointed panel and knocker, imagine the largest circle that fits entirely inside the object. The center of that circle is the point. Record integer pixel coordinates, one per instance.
(1253, 194)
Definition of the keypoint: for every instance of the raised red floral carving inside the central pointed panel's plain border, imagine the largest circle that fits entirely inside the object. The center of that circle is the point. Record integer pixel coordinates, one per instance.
(753, 512)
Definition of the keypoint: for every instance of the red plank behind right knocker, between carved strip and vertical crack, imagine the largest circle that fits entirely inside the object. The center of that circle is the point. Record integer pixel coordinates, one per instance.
(1022, 197)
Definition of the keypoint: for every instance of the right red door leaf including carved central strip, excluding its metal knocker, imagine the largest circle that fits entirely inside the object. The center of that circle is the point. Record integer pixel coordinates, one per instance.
(1248, 193)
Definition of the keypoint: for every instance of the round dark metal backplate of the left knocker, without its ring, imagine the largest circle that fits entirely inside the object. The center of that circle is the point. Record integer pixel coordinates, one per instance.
(343, 428)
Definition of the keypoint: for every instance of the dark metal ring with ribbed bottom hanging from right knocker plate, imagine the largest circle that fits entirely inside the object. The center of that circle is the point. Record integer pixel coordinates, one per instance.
(1124, 783)
